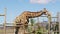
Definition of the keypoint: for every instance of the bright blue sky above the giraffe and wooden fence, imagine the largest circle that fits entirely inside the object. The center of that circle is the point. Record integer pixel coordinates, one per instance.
(16, 7)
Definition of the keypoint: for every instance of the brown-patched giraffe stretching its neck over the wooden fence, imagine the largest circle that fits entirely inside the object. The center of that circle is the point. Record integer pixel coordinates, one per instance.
(24, 18)
